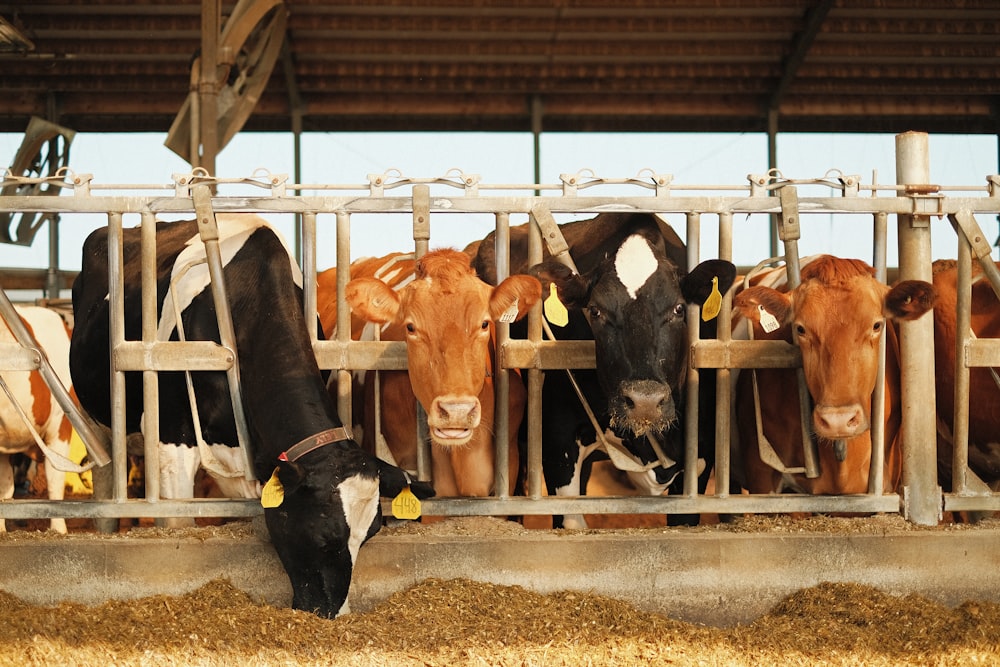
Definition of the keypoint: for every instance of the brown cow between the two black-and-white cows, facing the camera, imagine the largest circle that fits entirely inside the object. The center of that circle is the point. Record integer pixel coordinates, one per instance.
(446, 316)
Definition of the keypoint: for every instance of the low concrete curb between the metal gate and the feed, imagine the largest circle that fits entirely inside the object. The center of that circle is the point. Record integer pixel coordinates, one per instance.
(716, 578)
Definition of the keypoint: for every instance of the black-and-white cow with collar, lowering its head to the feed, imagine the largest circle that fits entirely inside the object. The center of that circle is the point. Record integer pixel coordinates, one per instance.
(331, 487)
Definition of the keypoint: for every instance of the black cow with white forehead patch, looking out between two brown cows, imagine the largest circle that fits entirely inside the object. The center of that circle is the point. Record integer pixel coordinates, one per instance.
(631, 298)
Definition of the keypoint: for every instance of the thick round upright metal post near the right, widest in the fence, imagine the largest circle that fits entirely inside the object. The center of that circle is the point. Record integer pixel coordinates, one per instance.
(921, 494)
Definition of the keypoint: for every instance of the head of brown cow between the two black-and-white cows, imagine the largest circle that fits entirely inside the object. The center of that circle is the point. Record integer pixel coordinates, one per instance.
(446, 317)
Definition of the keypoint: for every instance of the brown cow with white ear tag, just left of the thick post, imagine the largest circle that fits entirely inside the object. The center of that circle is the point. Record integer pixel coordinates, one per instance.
(838, 313)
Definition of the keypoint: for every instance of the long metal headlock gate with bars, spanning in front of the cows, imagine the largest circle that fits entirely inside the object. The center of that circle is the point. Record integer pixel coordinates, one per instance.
(914, 203)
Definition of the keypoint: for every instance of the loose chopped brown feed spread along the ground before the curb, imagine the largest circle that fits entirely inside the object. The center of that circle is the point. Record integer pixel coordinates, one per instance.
(463, 622)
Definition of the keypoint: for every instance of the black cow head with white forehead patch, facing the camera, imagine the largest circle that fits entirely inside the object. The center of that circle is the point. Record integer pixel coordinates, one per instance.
(636, 304)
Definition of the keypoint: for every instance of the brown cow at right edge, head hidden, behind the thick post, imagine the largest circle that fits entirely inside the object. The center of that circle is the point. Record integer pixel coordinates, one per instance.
(984, 394)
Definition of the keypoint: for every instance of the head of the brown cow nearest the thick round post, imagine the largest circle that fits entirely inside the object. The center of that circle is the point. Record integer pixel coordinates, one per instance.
(838, 314)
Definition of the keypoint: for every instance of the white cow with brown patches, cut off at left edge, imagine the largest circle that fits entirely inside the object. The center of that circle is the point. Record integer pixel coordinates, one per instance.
(46, 416)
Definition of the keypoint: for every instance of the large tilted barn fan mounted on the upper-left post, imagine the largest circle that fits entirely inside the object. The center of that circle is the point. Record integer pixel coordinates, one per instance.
(249, 47)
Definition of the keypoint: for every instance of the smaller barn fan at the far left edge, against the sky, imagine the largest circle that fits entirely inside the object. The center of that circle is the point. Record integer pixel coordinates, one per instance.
(43, 152)
